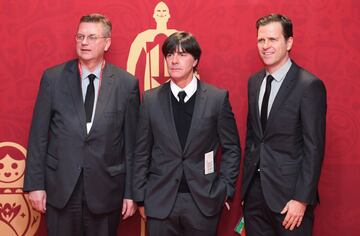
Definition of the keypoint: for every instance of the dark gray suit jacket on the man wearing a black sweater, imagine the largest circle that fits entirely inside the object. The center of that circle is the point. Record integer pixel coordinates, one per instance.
(160, 160)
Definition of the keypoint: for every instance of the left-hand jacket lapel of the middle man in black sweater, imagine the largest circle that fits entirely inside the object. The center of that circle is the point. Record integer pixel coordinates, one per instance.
(166, 108)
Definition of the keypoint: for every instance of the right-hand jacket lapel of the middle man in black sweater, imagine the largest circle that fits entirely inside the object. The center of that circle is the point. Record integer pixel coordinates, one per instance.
(199, 107)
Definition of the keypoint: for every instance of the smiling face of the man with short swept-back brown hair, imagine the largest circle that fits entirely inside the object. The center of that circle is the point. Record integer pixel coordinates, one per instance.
(272, 45)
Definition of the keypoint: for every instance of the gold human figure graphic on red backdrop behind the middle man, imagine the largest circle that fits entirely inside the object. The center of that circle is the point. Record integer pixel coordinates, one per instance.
(150, 42)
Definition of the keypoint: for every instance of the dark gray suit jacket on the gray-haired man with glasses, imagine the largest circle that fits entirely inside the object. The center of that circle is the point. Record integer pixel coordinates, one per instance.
(59, 146)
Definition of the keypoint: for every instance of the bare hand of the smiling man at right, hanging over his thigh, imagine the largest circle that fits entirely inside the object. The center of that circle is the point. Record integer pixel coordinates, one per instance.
(294, 214)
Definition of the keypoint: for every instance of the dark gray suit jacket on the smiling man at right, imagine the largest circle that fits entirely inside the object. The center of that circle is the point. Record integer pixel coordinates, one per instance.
(291, 149)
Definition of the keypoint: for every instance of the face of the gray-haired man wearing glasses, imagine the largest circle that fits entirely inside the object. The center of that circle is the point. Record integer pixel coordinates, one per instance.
(92, 51)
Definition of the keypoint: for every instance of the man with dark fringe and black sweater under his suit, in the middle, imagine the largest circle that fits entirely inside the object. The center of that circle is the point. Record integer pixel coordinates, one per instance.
(182, 124)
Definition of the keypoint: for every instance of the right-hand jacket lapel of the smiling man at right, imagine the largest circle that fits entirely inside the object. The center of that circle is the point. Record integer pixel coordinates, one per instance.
(285, 88)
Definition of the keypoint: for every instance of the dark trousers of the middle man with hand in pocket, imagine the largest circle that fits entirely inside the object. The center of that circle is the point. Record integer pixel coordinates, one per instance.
(185, 219)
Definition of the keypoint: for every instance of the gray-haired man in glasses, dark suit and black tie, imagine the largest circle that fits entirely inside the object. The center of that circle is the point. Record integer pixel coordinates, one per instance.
(79, 162)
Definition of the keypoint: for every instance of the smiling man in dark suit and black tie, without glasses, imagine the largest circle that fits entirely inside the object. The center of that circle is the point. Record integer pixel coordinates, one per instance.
(285, 138)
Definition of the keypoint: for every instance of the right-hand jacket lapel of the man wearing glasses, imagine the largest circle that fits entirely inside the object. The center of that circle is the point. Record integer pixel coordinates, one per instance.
(106, 89)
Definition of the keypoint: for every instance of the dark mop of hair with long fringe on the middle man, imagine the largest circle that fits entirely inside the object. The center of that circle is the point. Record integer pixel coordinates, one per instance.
(184, 40)
